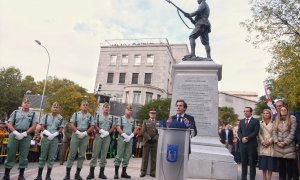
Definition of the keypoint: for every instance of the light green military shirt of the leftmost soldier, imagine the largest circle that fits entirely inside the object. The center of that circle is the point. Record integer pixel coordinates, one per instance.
(23, 120)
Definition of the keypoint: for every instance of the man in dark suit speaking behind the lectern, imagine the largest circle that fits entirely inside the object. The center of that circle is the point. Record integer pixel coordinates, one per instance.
(182, 120)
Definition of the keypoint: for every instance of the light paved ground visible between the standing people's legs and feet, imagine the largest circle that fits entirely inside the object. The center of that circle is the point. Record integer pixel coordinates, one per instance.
(59, 171)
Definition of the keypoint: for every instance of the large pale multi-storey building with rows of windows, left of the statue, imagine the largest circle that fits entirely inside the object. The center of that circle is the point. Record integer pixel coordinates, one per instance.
(137, 70)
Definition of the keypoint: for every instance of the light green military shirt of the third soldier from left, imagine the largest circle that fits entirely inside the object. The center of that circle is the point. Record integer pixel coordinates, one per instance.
(83, 121)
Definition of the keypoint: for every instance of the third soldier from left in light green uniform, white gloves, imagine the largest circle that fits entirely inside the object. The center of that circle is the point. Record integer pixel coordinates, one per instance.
(81, 124)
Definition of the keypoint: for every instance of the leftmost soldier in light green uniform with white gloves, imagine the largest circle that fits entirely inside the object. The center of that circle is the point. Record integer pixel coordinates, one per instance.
(21, 123)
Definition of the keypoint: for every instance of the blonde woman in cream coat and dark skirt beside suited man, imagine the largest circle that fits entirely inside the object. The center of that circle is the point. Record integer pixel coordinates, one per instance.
(267, 163)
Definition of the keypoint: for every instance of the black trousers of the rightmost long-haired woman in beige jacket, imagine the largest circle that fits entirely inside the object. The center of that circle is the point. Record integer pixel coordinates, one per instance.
(285, 167)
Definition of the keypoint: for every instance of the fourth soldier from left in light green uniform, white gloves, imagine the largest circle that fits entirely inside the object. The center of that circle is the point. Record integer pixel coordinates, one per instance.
(104, 125)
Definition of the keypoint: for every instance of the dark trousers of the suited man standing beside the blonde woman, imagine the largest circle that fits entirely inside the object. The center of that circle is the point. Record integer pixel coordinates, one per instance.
(248, 156)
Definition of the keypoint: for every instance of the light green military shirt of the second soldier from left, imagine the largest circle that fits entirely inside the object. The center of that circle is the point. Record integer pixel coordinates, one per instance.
(53, 123)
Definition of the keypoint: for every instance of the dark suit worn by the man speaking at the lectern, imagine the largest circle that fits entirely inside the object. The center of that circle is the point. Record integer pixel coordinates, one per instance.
(178, 123)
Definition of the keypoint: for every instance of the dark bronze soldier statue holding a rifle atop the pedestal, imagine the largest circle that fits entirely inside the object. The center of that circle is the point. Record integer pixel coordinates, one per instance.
(202, 28)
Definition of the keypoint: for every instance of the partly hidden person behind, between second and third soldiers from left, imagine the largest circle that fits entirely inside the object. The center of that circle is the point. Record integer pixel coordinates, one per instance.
(67, 133)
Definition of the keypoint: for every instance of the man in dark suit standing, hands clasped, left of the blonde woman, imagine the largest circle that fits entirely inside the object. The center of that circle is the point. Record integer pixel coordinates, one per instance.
(247, 132)
